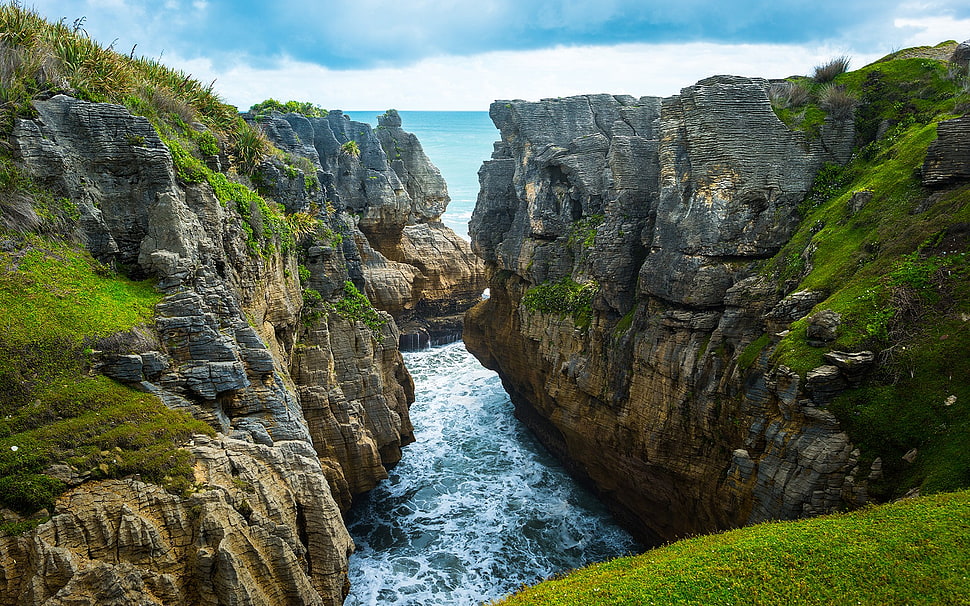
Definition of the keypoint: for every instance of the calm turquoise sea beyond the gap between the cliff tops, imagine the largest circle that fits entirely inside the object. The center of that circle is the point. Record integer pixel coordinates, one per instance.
(457, 143)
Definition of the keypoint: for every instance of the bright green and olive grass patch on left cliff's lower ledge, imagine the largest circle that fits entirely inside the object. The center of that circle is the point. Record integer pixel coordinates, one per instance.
(56, 302)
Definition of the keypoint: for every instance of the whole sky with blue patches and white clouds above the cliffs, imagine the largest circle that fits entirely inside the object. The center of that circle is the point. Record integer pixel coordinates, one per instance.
(462, 54)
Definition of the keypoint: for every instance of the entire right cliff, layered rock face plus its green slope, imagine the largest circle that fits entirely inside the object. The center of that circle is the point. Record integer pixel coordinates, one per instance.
(666, 275)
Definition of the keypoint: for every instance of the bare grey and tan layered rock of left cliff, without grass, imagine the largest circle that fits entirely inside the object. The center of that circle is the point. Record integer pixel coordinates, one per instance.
(310, 405)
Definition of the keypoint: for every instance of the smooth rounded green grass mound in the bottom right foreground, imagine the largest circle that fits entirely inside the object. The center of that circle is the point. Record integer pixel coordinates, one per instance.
(912, 552)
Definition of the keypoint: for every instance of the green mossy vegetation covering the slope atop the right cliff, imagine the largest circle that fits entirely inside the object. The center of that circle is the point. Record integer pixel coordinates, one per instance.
(891, 256)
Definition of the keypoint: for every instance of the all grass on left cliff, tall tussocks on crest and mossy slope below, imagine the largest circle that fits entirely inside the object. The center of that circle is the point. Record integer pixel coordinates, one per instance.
(57, 303)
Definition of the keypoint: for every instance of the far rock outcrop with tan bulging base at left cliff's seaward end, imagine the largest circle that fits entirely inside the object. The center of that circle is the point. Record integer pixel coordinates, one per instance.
(409, 262)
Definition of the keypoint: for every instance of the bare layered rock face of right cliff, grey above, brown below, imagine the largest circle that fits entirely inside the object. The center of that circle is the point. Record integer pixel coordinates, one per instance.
(666, 204)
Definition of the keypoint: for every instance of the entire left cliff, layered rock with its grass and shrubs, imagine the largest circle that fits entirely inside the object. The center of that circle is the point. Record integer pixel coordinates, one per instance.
(195, 380)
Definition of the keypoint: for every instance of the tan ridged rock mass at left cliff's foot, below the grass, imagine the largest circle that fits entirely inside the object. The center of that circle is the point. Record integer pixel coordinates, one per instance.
(263, 530)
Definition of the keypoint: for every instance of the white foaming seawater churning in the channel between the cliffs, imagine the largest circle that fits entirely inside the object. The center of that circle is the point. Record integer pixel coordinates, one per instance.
(476, 508)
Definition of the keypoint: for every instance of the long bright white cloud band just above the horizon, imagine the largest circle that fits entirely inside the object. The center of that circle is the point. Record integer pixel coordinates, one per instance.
(474, 82)
